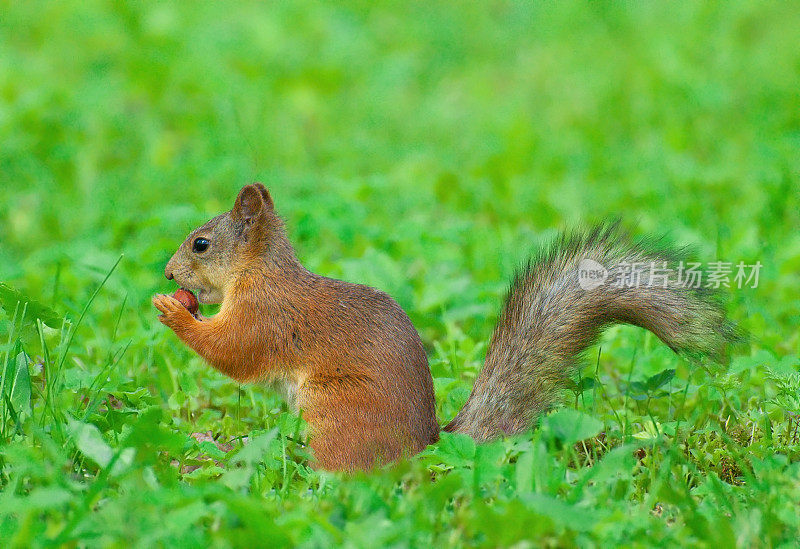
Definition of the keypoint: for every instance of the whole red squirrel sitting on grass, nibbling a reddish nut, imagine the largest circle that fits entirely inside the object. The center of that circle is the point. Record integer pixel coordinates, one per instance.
(348, 356)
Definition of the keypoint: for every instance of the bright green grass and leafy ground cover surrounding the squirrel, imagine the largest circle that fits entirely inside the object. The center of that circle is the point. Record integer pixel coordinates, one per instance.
(425, 149)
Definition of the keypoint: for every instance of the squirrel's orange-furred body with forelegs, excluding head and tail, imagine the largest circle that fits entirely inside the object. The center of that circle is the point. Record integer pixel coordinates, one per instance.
(357, 365)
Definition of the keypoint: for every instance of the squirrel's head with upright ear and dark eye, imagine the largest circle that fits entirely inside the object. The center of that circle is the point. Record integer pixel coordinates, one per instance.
(214, 255)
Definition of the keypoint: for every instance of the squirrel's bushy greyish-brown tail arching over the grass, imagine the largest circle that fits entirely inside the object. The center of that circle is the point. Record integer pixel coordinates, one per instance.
(553, 313)
